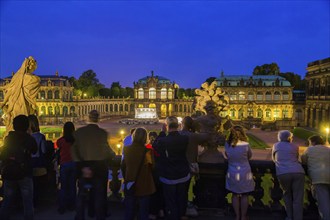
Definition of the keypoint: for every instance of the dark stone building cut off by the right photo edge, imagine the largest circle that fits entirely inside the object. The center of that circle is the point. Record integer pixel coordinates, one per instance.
(317, 109)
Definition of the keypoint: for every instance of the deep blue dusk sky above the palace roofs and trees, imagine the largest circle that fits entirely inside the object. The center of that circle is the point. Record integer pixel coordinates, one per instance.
(184, 41)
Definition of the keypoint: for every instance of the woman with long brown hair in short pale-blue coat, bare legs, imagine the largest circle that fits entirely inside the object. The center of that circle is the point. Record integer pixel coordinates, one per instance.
(239, 178)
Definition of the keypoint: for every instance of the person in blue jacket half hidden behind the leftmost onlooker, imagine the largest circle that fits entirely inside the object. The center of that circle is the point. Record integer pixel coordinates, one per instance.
(39, 162)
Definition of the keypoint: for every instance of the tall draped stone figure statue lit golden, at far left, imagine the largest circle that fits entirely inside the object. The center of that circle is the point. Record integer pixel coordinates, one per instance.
(21, 93)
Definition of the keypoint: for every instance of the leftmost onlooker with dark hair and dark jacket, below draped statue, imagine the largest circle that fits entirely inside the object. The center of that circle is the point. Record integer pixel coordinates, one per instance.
(18, 147)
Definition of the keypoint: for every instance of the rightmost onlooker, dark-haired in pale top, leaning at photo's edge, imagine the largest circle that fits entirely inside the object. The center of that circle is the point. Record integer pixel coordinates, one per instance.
(317, 159)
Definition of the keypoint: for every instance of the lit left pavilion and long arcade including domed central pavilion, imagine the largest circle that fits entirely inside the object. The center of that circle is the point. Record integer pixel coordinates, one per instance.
(56, 103)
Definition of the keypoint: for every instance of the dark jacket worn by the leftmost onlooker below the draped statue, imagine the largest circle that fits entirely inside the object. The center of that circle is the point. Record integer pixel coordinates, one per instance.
(19, 145)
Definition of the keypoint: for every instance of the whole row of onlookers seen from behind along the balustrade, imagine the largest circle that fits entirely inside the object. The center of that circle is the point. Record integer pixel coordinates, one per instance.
(157, 169)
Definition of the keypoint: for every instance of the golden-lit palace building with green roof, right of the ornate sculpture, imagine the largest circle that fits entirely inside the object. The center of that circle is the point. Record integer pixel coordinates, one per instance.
(260, 98)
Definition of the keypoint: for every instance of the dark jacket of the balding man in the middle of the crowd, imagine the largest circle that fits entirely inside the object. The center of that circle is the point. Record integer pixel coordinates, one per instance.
(172, 162)
